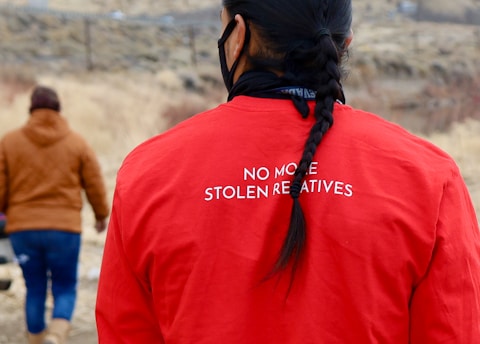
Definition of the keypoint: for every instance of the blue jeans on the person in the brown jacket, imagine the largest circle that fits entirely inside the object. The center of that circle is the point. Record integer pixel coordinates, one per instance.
(47, 255)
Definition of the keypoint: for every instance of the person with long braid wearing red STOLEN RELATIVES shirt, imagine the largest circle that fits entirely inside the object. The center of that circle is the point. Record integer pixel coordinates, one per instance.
(286, 216)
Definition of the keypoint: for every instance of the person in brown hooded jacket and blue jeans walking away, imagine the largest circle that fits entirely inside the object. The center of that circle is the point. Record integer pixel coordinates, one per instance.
(44, 166)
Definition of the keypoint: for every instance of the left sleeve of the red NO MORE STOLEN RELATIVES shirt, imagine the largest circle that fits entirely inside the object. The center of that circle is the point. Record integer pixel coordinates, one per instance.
(124, 308)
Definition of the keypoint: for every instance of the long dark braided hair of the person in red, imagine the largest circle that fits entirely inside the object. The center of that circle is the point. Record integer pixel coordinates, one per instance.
(306, 41)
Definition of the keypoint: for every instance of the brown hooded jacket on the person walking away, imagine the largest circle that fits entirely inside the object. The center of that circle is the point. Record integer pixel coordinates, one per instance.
(43, 168)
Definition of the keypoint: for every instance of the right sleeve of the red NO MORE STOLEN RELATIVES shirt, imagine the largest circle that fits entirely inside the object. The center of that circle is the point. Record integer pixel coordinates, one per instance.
(445, 306)
